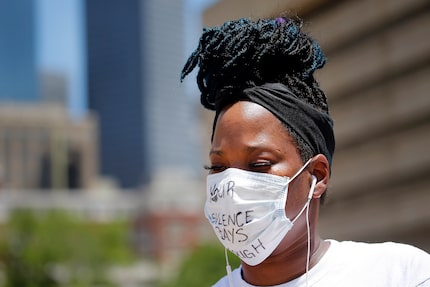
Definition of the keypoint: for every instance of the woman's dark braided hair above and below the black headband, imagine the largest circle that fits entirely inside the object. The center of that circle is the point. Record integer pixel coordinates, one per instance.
(244, 53)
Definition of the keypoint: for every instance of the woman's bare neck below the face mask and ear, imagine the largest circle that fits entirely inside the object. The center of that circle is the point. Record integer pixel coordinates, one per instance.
(289, 263)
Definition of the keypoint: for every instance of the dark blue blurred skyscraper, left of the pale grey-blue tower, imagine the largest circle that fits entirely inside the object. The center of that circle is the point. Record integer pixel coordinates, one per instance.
(115, 89)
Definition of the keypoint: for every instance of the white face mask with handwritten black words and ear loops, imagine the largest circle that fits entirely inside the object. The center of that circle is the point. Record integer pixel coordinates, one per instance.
(247, 211)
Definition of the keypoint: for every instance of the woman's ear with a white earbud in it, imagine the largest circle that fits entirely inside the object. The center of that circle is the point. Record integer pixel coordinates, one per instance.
(320, 168)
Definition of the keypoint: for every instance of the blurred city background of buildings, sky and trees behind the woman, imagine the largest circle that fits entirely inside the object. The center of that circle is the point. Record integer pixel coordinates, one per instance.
(102, 148)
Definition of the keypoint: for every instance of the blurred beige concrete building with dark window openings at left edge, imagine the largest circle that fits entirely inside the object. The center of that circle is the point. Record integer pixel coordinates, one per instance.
(42, 148)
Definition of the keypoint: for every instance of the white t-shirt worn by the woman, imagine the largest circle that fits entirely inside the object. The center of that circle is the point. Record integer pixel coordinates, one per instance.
(354, 264)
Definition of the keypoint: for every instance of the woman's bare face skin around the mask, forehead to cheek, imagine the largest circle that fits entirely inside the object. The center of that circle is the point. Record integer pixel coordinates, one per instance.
(249, 137)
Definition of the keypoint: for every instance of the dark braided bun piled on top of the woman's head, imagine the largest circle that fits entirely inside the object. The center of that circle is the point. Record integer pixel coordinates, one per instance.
(245, 52)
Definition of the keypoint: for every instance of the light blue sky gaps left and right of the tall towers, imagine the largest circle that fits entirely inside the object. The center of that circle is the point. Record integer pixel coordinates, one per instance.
(60, 29)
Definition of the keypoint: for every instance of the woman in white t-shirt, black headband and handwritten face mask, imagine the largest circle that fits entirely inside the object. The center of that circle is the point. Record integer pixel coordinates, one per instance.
(271, 155)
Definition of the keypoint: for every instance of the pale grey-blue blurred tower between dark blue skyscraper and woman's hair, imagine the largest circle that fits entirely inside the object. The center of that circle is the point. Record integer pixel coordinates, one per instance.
(171, 114)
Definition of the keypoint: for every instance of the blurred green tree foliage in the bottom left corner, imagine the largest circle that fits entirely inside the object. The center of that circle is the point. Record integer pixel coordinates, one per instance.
(54, 248)
